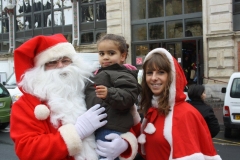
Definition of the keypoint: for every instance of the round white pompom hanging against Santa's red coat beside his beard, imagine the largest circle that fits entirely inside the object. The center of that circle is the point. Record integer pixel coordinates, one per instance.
(41, 112)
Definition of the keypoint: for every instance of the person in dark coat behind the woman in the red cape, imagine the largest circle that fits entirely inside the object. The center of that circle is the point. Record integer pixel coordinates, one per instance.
(196, 94)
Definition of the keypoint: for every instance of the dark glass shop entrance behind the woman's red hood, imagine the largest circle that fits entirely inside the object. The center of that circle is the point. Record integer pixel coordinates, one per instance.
(189, 54)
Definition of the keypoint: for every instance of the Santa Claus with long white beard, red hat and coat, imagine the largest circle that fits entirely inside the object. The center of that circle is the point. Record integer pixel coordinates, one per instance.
(50, 120)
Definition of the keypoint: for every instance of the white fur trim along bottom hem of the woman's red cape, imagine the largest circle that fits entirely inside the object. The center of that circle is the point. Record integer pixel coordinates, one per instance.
(199, 156)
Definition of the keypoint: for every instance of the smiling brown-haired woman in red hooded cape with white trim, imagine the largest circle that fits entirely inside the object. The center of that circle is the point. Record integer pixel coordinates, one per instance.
(171, 129)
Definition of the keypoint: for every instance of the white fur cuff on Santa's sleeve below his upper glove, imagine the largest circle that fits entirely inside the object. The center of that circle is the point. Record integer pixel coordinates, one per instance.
(71, 138)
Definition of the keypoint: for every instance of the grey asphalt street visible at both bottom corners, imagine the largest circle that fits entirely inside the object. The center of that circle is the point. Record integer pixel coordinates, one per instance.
(227, 148)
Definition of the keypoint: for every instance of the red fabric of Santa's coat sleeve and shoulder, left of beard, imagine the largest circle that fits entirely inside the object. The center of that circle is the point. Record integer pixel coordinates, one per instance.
(37, 135)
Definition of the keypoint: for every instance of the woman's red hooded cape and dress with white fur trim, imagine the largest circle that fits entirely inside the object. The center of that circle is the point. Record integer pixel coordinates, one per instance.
(181, 135)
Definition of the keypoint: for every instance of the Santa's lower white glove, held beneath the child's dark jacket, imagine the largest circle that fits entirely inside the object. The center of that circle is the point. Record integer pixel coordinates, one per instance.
(111, 150)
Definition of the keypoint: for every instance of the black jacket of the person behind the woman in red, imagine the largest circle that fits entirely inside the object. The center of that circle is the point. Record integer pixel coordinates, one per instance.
(208, 114)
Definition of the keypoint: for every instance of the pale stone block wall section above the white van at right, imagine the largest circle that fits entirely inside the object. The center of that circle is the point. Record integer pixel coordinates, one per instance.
(219, 45)
